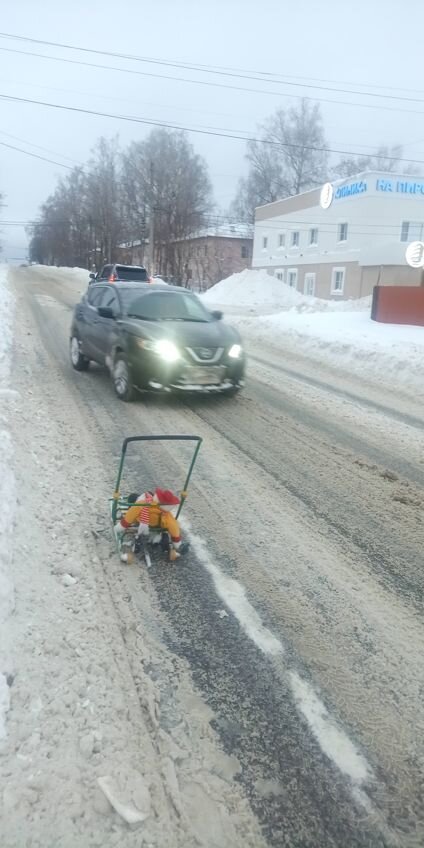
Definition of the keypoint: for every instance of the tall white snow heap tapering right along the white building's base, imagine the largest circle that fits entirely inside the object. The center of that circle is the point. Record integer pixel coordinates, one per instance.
(257, 291)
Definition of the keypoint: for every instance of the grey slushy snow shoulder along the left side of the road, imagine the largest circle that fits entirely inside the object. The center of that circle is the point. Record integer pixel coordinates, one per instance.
(88, 758)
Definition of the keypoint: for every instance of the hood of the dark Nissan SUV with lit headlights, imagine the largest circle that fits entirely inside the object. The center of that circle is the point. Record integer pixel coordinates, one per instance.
(184, 333)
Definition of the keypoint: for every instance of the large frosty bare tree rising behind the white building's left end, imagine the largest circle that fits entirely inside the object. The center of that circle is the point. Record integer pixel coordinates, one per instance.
(290, 157)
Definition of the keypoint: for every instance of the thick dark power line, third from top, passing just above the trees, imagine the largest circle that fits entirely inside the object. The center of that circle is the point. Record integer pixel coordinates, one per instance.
(216, 134)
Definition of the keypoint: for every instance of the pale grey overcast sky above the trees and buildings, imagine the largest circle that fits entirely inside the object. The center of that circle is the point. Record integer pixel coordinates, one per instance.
(330, 43)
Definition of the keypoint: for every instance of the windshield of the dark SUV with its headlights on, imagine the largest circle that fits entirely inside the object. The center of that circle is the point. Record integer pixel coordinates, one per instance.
(166, 306)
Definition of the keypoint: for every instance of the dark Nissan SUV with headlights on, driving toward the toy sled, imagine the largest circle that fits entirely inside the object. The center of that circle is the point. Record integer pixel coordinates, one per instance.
(155, 338)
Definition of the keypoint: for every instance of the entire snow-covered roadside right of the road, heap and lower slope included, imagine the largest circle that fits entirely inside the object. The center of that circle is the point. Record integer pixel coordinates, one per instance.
(339, 334)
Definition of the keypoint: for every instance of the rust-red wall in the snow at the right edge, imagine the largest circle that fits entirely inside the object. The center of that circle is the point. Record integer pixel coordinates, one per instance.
(398, 305)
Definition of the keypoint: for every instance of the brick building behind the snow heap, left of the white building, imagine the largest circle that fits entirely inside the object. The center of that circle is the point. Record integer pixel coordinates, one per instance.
(213, 253)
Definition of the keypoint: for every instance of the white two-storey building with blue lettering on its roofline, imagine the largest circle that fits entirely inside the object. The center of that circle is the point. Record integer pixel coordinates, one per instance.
(343, 239)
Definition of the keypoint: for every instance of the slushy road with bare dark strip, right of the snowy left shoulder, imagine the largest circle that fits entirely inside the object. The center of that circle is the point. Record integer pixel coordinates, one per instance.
(298, 616)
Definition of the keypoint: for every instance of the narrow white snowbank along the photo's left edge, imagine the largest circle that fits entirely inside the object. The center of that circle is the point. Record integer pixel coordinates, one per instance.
(7, 492)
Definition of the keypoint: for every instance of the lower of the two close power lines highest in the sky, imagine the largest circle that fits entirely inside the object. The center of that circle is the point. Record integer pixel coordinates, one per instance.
(210, 83)
